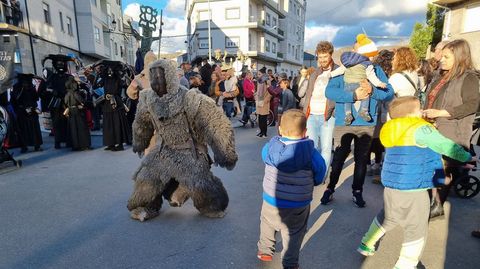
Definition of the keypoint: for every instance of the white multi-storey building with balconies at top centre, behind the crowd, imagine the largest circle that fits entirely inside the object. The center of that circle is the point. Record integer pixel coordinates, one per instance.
(263, 30)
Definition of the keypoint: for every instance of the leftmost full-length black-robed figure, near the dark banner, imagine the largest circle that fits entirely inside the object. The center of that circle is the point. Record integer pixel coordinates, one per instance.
(24, 99)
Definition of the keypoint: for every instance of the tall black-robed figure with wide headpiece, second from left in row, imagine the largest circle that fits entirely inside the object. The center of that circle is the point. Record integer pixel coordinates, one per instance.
(56, 82)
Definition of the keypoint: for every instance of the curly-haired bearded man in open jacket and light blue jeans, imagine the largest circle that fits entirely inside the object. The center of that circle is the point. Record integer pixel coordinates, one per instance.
(319, 125)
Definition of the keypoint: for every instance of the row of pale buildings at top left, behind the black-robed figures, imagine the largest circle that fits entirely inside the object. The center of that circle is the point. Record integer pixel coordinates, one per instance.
(89, 29)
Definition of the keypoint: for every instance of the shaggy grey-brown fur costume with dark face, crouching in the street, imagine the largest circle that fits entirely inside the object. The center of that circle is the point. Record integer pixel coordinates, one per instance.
(178, 166)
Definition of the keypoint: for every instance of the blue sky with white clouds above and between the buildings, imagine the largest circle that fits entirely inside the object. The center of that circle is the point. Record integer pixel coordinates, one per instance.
(337, 21)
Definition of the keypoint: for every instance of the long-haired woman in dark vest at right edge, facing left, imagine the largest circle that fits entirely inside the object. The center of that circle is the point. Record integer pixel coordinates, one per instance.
(452, 100)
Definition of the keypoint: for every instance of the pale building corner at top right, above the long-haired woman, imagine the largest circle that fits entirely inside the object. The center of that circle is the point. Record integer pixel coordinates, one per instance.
(462, 21)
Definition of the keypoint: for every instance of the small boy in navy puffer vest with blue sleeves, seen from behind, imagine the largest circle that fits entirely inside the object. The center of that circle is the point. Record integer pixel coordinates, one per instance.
(292, 168)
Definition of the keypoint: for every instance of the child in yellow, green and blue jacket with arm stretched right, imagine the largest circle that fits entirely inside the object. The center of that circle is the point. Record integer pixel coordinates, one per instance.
(412, 165)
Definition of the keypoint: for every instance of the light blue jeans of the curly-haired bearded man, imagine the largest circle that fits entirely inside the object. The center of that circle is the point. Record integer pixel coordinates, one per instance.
(321, 132)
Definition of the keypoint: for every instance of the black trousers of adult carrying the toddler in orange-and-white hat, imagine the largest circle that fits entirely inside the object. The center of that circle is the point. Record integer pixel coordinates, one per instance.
(342, 139)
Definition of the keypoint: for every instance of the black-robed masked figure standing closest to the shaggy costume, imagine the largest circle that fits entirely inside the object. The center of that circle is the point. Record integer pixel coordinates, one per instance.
(116, 130)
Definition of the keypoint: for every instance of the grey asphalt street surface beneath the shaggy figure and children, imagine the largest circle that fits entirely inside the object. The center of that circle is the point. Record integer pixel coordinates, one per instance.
(66, 209)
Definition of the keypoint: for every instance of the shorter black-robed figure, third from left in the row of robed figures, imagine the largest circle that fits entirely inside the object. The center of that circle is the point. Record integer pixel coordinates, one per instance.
(75, 112)
